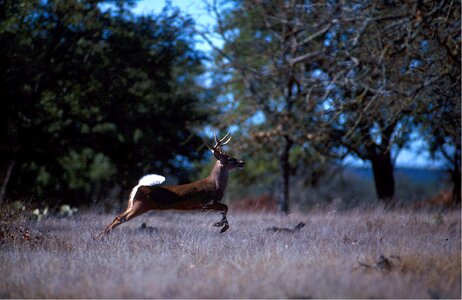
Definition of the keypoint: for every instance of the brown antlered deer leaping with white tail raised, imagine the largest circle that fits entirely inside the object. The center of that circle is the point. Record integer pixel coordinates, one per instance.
(204, 194)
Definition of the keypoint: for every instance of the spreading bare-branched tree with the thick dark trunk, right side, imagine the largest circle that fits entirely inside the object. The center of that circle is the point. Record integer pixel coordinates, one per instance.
(394, 79)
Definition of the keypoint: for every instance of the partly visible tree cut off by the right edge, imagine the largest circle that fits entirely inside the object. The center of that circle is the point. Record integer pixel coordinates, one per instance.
(440, 119)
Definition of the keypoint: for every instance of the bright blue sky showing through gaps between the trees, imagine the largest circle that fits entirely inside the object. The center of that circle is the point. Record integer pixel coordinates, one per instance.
(413, 157)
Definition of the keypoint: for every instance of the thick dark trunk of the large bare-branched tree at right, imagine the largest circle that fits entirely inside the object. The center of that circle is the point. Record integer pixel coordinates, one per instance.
(382, 168)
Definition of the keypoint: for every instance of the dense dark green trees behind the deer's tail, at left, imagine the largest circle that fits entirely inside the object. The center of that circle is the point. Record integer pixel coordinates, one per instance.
(91, 99)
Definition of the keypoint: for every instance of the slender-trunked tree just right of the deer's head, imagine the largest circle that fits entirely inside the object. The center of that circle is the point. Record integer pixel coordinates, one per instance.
(265, 69)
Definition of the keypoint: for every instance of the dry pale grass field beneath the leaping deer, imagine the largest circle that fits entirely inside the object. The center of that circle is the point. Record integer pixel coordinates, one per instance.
(336, 255)
